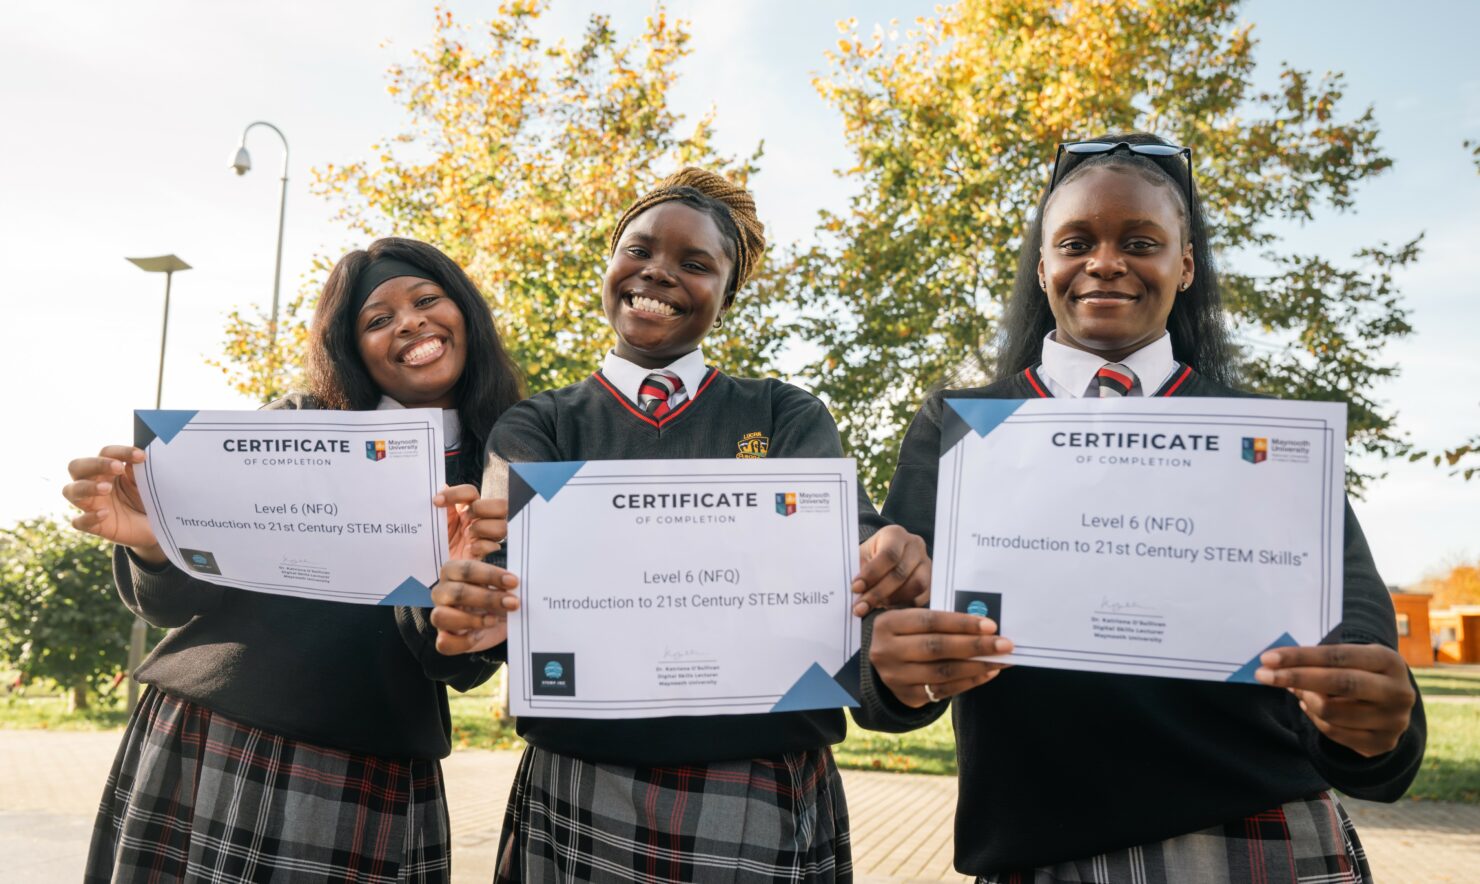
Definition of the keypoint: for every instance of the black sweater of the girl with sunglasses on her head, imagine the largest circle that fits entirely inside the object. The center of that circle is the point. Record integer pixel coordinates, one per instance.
(1059, 766)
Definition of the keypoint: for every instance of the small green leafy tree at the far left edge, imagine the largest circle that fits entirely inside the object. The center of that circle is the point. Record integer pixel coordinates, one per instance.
(60, 614)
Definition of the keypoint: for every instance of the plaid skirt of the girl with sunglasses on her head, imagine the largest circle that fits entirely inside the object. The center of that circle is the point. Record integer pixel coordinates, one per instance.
(1308, 842)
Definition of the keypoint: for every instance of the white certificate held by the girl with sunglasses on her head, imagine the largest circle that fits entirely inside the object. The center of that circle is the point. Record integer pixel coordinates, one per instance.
(1151, 537)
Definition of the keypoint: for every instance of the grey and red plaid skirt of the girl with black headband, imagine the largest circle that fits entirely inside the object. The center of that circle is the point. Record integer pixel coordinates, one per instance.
(198, 797)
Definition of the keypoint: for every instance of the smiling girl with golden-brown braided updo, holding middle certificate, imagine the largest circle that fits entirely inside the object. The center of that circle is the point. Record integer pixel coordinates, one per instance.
(684, 799)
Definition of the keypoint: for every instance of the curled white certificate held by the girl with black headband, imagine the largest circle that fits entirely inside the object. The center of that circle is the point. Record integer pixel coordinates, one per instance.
(329, 506)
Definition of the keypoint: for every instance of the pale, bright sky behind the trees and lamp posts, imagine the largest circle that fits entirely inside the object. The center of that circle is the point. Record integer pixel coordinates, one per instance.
(122, 119)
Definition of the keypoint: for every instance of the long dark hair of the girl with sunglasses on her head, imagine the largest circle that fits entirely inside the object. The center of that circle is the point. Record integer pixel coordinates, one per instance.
(1197, 324)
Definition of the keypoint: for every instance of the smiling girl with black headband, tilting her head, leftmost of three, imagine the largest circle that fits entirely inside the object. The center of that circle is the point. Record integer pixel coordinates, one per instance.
(288, 740)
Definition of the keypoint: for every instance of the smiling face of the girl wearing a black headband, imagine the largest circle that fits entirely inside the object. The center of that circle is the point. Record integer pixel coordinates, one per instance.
(412, 343)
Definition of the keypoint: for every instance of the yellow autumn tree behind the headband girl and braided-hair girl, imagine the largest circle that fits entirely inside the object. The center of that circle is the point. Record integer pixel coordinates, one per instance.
(517, 158)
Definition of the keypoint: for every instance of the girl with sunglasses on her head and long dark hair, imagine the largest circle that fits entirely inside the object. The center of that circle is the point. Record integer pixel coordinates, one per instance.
(1080, 777)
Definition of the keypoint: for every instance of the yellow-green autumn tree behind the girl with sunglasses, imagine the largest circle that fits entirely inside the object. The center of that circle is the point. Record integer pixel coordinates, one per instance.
(952, 128)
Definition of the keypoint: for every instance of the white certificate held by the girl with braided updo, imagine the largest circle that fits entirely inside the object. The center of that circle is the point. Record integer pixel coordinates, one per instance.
(683, 587)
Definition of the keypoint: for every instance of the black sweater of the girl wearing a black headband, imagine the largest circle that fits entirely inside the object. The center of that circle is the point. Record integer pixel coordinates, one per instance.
(357, 677)
